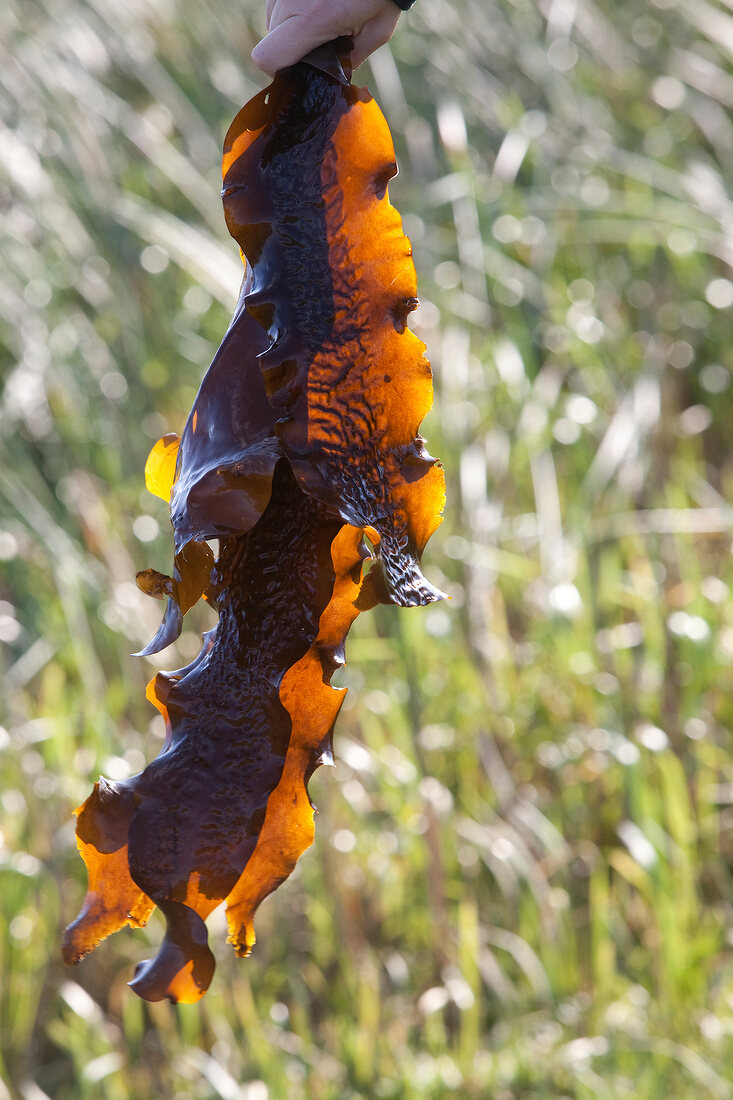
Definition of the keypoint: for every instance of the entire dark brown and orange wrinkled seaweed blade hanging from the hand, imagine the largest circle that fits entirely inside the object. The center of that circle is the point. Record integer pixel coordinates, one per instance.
(303, 439)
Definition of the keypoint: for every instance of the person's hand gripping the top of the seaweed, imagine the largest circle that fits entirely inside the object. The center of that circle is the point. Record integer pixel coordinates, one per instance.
(298, 27)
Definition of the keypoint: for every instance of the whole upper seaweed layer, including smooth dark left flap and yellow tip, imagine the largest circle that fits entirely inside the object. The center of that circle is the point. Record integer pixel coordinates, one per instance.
(319, 364)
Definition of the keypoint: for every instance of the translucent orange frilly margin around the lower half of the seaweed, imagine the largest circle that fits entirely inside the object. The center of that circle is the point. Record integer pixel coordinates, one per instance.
(184, 966)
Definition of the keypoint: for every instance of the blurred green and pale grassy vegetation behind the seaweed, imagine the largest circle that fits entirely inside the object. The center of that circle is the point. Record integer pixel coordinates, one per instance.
(521, 886)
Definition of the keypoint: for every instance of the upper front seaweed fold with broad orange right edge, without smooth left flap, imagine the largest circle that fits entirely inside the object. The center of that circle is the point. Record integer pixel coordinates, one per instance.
(307, 169)
